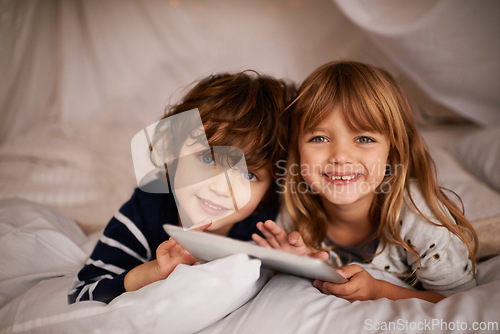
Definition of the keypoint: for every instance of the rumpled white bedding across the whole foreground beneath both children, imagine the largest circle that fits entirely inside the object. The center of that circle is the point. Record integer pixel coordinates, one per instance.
(204, 298)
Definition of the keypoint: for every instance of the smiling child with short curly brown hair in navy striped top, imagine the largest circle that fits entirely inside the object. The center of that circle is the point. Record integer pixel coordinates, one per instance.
(241, 110)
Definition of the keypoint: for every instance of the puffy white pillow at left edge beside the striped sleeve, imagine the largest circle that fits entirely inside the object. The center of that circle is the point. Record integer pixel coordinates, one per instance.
(36, 243)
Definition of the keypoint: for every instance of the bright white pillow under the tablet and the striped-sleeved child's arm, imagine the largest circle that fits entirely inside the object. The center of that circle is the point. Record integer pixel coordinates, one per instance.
(190, 299)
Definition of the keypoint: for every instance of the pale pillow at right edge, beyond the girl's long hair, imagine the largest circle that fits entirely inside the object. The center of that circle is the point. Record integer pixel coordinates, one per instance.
(480, 154)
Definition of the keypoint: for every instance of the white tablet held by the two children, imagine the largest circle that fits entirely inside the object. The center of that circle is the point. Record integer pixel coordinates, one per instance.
(207, 247)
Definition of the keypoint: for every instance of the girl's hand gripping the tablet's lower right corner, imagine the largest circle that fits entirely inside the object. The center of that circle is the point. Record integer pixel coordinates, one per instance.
(361, 285)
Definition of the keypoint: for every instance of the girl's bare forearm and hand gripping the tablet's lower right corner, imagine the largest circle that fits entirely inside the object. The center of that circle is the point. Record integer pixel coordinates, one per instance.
(362, 286)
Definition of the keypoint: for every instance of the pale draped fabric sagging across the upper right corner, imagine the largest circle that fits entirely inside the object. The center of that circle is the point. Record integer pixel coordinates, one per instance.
(449, 48)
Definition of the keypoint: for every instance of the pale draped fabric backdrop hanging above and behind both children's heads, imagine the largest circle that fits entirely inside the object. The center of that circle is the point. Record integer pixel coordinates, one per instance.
(121, 61)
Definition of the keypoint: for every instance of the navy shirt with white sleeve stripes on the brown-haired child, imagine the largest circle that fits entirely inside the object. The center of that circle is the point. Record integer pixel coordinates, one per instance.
(131, 238)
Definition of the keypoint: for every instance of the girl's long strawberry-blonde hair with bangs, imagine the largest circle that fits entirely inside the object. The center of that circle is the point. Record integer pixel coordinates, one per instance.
(371, 100)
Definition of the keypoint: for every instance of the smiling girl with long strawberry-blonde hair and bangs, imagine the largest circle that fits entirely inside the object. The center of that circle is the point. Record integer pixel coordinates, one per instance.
(361, 185)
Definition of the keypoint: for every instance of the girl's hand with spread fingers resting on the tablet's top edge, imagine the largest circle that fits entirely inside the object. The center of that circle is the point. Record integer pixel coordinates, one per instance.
(277, 238)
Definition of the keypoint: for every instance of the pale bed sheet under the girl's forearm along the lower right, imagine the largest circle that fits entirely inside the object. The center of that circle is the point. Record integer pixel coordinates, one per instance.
(290, 304)
